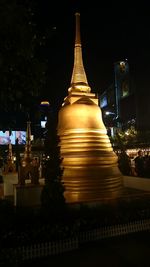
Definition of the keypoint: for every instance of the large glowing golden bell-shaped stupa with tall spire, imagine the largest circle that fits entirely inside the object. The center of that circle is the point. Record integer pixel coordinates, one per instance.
(90, 165)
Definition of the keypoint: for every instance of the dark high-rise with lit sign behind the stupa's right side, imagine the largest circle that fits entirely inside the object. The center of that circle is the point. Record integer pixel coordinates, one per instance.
(118, 102)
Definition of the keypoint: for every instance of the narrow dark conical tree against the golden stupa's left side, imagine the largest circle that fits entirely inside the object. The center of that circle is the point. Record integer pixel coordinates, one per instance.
(53, 192)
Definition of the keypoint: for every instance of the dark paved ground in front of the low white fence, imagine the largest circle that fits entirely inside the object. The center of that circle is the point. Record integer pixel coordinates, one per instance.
(126, 251)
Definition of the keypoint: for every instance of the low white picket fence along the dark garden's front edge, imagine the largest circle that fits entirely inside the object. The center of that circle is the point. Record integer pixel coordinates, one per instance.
(58, 247)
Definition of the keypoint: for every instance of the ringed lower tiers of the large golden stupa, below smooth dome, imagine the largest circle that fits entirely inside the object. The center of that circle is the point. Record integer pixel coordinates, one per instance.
(91, 171)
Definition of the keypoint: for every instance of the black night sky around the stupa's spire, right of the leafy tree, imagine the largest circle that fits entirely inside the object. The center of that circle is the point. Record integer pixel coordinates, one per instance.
(108, 33)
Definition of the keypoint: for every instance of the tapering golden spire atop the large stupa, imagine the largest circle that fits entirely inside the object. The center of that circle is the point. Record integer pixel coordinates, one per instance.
(79, 80)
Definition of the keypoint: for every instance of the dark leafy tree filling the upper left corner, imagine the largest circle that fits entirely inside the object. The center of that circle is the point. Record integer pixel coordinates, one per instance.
(22, 67)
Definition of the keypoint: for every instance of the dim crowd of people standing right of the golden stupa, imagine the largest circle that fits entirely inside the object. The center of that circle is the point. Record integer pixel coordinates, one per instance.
(134, 166)
